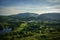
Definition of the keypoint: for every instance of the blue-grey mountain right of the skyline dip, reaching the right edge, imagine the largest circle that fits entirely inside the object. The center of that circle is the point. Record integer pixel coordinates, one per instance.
(49, 16)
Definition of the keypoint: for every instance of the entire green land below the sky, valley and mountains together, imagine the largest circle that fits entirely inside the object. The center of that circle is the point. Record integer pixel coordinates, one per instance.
(27, 27)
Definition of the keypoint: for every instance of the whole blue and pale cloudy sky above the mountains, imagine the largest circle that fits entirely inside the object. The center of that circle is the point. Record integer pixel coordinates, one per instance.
(11, 7)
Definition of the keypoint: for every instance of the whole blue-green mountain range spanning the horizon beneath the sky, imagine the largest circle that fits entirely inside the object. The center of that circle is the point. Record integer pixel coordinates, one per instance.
(32, 16)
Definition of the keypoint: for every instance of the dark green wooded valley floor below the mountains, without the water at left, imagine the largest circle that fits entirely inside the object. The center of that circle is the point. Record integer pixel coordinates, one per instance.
(25, 30)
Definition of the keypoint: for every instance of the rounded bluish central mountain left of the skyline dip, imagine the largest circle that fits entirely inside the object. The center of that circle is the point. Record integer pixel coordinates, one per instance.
(25, 16)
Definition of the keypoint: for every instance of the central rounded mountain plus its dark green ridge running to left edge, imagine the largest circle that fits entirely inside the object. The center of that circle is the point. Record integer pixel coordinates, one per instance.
(20, 16)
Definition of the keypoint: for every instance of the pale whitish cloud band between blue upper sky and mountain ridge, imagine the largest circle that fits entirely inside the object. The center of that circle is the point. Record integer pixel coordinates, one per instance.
(32, 9)
